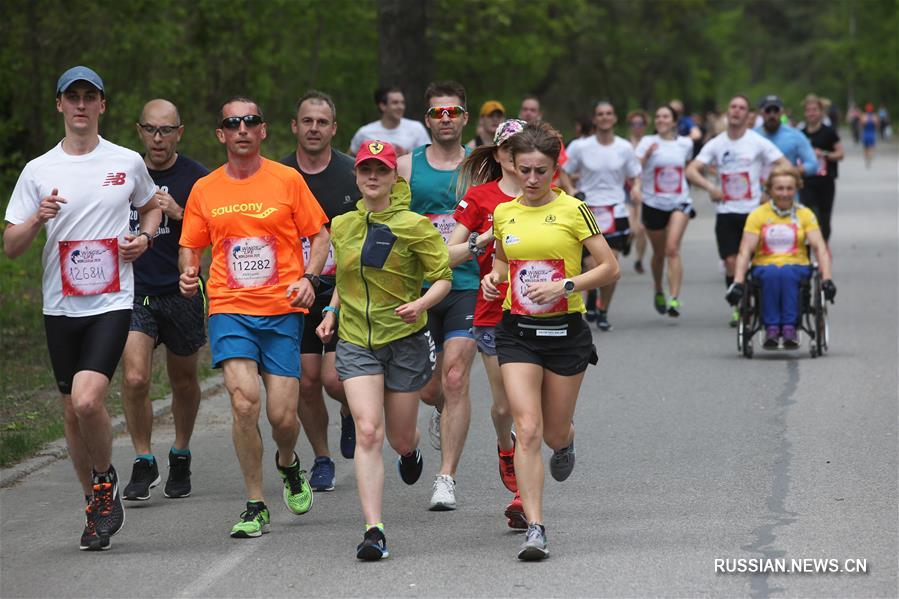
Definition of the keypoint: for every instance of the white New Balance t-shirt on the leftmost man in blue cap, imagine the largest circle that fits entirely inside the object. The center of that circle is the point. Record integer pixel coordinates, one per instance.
(99, 189)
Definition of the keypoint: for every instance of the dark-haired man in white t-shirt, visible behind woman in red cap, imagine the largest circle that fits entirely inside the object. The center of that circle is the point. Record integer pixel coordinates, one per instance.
(403, 133)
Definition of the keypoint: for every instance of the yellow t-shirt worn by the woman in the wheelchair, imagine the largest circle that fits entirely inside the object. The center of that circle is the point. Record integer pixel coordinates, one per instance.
(781, 238)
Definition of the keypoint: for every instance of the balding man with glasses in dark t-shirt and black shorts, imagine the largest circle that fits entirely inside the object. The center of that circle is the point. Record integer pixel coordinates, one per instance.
(161, 314)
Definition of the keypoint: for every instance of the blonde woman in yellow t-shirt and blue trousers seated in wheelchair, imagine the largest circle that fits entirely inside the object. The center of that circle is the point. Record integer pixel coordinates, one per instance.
(776, 239)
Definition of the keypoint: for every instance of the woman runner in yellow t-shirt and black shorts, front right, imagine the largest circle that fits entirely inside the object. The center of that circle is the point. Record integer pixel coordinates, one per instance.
(542, 342)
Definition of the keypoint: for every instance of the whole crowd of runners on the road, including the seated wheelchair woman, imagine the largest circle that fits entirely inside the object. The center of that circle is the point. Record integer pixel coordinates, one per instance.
(375, 277)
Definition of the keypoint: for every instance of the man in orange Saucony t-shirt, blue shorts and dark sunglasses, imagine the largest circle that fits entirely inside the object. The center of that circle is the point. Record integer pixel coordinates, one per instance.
(253, 211)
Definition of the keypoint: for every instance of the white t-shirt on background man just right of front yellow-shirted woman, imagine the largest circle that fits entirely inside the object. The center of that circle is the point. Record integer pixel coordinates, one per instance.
(603, 170)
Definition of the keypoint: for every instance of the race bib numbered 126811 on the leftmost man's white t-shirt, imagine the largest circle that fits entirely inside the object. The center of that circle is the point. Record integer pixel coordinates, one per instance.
(89, 267)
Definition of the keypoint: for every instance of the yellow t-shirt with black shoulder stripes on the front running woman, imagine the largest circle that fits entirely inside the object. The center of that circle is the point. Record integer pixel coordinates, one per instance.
(543, 243)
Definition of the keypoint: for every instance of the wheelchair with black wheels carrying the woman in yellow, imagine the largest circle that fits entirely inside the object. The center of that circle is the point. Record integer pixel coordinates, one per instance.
(813, 320)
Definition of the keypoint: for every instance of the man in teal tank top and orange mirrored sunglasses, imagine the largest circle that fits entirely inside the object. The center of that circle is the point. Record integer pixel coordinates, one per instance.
(431, 171)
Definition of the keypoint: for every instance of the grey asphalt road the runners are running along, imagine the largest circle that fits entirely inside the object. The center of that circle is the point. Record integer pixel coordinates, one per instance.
(687, 452)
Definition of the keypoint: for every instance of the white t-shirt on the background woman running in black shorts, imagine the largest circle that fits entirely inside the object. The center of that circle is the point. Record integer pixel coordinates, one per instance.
(664, 182)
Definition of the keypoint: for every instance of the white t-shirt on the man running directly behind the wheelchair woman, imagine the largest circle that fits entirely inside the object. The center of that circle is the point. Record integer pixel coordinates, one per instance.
(739, 164)
